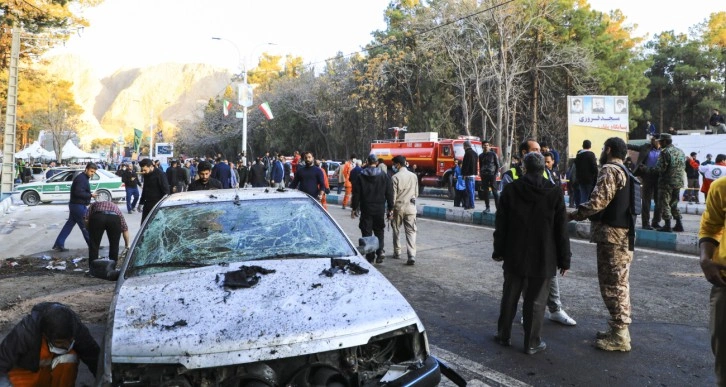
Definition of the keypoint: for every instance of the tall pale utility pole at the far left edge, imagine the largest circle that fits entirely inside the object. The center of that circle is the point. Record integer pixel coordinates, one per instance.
(8, 168)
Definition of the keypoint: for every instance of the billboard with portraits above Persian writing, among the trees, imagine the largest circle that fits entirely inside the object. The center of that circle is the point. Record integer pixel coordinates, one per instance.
(596, 118)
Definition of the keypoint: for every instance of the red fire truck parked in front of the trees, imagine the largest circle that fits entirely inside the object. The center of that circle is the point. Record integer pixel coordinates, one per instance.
(429, 156)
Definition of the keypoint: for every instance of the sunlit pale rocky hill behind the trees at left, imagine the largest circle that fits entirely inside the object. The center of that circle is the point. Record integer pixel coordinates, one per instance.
(137, 97)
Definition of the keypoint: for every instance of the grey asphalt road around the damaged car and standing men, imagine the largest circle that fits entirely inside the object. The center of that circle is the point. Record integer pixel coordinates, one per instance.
(455, 288)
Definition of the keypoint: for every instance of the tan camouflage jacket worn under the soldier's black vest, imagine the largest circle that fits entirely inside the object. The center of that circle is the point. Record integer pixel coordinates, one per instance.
(610, 180)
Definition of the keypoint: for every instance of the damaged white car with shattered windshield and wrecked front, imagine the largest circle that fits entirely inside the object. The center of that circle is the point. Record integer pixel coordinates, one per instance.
(256, 288)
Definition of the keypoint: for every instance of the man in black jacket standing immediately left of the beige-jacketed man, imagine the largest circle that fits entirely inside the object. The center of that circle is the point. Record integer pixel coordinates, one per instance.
(372, 194)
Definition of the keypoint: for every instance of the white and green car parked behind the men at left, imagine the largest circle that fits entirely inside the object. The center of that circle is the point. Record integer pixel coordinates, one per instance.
(104, 183)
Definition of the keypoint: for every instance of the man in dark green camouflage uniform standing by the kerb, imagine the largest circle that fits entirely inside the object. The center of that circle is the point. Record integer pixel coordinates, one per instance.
(671, 168)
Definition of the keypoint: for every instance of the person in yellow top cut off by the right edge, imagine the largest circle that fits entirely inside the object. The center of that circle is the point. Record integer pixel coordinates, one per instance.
(712, 249)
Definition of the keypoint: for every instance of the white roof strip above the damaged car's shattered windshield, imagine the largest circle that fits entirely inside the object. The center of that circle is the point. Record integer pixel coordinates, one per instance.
(221, 195)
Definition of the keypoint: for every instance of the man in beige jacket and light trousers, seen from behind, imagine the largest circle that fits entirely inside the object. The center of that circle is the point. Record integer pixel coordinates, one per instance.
(405, 190)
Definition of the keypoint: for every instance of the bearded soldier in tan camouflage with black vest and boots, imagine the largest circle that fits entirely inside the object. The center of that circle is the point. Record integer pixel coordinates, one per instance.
(606, 211)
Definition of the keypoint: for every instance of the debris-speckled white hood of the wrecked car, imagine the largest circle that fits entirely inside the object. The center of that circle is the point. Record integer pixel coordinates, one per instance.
(186, 317)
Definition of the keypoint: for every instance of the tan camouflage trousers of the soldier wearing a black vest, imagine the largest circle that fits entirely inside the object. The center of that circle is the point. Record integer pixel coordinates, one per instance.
(613, 271)
